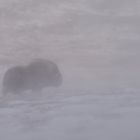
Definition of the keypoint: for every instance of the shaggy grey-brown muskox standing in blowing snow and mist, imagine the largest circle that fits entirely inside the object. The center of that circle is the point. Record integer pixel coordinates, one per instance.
(35, 76)
